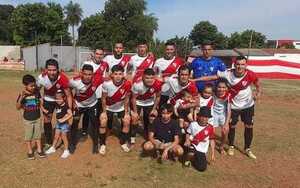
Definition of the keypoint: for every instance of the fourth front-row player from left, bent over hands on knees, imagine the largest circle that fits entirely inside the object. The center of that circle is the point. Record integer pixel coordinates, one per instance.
(145, 96)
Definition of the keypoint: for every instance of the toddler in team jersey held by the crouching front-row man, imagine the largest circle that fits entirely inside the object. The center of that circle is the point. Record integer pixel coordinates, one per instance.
(184, 111)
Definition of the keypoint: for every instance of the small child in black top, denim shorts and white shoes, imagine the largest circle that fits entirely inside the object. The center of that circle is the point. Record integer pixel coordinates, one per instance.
(63, 115)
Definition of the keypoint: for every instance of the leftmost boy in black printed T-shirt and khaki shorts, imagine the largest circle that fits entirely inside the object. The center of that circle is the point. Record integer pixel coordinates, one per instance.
(30, 101)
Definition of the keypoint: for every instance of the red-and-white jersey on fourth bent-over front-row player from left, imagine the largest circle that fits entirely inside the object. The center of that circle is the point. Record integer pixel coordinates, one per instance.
(146, 95)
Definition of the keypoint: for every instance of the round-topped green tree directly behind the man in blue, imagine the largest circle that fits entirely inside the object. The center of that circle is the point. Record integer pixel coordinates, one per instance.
(205, 31)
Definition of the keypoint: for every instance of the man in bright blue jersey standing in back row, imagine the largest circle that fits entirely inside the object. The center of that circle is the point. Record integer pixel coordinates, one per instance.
(206, 65)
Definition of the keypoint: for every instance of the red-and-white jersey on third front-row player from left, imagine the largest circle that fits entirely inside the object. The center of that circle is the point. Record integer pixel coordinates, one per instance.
(116, 95)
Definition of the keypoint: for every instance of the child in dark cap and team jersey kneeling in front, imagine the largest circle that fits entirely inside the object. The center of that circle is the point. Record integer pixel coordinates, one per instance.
(199, 135)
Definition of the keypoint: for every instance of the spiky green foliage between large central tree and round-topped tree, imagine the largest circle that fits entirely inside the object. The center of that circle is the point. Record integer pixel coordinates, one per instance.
(183, 45)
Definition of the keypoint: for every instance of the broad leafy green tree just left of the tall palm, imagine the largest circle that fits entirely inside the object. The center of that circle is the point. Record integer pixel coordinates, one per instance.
(38, 22)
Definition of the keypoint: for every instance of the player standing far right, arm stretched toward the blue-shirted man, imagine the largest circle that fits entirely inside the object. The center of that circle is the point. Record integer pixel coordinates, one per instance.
(243, 98)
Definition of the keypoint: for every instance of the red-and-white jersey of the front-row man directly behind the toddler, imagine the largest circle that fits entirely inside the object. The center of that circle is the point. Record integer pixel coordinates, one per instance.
(175, 90)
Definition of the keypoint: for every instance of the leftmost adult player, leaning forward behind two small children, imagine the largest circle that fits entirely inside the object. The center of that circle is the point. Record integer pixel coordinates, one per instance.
(52, 80)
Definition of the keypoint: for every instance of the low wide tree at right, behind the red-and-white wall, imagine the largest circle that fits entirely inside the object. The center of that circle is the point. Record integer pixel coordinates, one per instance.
(242, 40)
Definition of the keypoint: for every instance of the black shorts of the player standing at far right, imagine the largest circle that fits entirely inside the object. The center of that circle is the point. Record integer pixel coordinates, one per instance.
(246, 116)
